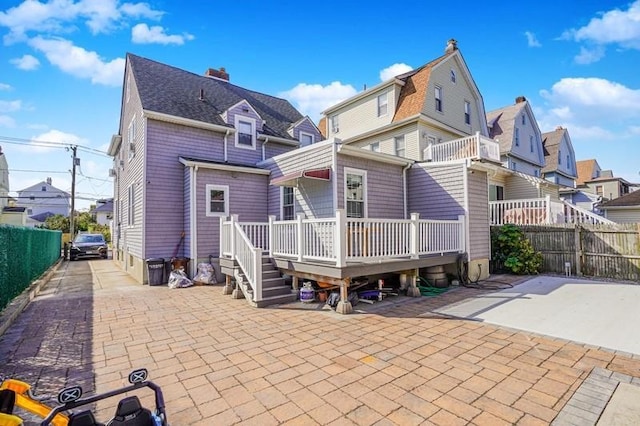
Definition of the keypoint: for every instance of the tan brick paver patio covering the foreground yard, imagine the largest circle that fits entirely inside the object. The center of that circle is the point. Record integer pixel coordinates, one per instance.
(219, 361)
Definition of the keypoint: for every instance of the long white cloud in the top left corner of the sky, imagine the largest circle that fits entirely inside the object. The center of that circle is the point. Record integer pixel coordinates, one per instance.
(57, 16)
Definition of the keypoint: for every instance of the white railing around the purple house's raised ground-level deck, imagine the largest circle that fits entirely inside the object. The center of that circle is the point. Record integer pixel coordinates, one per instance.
(339, 240)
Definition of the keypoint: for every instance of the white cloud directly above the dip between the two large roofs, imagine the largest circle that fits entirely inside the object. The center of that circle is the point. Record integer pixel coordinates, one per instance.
(312, 99)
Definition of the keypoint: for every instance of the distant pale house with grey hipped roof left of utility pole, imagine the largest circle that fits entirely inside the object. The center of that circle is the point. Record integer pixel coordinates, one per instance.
(43, 197)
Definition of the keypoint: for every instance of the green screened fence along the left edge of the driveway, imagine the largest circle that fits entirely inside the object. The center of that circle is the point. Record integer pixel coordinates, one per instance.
(25, 254)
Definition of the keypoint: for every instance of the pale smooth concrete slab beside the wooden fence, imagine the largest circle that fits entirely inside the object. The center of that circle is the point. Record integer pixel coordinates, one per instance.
(592, 312)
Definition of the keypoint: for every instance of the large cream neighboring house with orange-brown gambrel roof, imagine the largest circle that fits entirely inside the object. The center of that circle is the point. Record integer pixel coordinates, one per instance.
(410, 113)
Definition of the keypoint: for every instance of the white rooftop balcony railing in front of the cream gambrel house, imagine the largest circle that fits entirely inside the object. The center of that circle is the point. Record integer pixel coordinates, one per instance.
(474, 147)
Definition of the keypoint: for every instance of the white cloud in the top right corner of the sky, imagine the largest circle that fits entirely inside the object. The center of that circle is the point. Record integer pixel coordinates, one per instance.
(617, 27)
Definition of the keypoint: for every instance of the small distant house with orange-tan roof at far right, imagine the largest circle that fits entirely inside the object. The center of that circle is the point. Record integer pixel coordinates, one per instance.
(602, 183)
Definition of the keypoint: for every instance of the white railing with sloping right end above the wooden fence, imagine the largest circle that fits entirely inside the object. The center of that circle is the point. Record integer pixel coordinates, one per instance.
(539, 211)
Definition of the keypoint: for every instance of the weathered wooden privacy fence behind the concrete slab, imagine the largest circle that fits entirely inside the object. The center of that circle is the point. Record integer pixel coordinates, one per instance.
(603, 251)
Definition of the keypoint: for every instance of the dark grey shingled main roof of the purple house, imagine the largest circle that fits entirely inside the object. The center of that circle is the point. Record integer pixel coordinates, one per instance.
(180, 91)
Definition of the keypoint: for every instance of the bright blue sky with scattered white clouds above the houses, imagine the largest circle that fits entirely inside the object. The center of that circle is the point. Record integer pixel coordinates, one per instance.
(61, 66)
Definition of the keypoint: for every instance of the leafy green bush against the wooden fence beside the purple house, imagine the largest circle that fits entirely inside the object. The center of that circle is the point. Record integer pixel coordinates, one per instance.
(511, 248)
